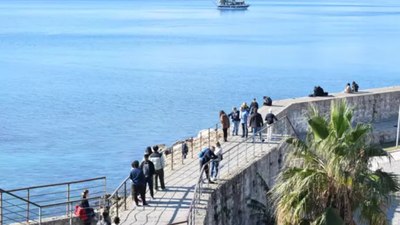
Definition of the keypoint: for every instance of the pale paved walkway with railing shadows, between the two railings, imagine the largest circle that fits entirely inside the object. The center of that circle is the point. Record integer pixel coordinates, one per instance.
(172, 205)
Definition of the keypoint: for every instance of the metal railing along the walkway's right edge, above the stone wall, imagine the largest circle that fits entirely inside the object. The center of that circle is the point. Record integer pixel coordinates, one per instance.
(281, 128)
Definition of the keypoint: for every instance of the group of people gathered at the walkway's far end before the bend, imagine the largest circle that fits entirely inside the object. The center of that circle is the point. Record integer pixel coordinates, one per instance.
(247, 117)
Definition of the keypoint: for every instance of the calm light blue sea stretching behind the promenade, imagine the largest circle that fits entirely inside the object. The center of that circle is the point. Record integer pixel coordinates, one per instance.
(85, 86)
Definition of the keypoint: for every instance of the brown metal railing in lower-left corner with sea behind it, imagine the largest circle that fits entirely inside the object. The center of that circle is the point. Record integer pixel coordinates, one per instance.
(33, 204)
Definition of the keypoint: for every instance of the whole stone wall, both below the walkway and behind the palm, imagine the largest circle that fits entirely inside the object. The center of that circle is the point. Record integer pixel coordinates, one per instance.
(228, 203)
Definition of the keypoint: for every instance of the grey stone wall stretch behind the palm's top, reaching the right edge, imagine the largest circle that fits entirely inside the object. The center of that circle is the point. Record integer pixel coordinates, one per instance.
(379, 109)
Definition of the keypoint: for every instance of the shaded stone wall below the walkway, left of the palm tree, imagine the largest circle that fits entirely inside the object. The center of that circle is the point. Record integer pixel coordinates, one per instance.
(227, 204)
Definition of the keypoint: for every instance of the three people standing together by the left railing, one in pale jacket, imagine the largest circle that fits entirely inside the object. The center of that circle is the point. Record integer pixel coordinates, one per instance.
(142, 175)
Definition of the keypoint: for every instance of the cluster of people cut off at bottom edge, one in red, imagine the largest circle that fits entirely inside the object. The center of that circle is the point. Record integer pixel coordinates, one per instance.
(87, 215)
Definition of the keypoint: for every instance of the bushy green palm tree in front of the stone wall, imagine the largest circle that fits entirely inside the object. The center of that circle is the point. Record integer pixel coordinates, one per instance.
(327, 178)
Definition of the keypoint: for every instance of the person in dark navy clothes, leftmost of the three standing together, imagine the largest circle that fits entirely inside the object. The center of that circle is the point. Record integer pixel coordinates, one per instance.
(138, 183)
